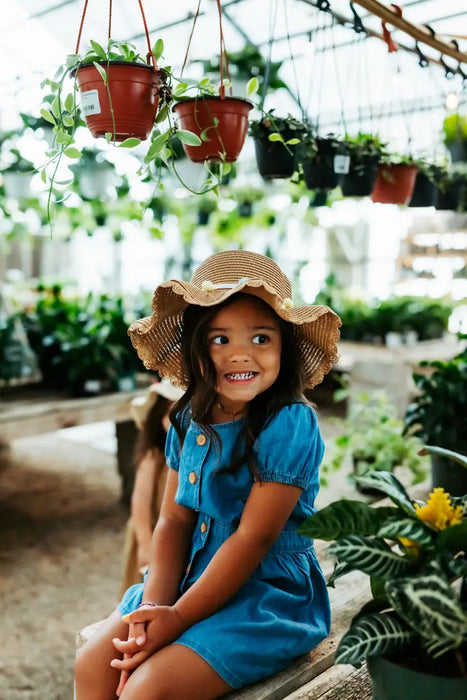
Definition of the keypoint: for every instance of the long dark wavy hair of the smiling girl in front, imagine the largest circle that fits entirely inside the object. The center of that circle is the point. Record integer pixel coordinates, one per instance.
(202, 380)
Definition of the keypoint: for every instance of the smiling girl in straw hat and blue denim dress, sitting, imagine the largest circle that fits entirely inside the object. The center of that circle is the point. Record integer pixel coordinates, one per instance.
(233, 593)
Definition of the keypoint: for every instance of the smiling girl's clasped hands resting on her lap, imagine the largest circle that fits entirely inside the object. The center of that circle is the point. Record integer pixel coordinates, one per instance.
(162, 626)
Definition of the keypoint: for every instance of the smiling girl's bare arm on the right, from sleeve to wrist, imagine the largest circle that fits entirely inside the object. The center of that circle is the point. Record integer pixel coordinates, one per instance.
(266, 511)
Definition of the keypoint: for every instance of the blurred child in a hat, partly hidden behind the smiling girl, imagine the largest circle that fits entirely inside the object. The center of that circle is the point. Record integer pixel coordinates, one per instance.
(151, 415)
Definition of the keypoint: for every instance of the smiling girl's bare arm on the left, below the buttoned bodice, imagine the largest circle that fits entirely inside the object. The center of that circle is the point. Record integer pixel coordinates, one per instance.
(169, 547)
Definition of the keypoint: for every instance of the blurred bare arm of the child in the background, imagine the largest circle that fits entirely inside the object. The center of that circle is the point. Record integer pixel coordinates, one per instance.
(141, 504)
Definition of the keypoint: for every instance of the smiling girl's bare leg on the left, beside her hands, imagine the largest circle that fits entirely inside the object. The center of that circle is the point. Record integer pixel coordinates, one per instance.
(94, 676)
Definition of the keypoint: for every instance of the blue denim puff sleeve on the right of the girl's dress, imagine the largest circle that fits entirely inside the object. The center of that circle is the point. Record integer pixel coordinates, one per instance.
(290, 449)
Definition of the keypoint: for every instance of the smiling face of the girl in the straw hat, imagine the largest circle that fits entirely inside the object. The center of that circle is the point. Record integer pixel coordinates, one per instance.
(244, 343)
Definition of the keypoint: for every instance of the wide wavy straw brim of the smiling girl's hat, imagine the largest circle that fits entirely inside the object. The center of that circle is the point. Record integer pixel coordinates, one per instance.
(157, 338)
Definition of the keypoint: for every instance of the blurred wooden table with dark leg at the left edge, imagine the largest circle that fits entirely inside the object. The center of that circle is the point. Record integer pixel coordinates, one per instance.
(35, 412)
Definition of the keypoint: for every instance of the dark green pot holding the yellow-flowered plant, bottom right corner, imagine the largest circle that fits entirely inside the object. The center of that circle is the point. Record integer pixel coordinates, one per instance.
(394, 682)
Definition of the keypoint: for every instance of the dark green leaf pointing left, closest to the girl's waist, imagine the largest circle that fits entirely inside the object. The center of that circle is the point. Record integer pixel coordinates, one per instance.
(345, 517)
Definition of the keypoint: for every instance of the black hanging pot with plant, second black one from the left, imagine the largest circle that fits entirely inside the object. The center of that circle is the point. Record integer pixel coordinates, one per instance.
(317, 157)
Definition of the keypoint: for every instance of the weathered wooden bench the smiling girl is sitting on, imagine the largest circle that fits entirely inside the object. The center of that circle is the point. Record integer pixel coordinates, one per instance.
(313, 675)
